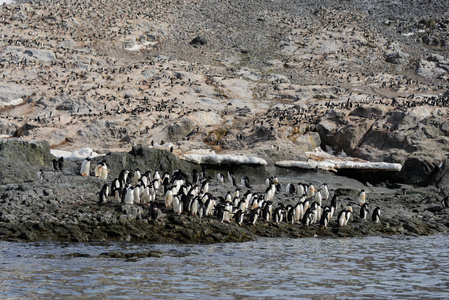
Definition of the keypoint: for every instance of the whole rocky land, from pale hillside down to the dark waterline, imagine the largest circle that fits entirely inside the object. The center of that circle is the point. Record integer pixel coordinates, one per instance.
(151, 83)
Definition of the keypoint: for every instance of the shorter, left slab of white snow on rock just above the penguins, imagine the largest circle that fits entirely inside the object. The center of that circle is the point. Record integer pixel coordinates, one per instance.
(224, 159)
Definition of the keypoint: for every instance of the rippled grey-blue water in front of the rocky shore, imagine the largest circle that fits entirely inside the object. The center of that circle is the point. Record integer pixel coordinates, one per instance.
(353, 268)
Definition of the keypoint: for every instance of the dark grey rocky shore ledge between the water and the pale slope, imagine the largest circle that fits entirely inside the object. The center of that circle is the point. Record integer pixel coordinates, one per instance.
(63, 205)
